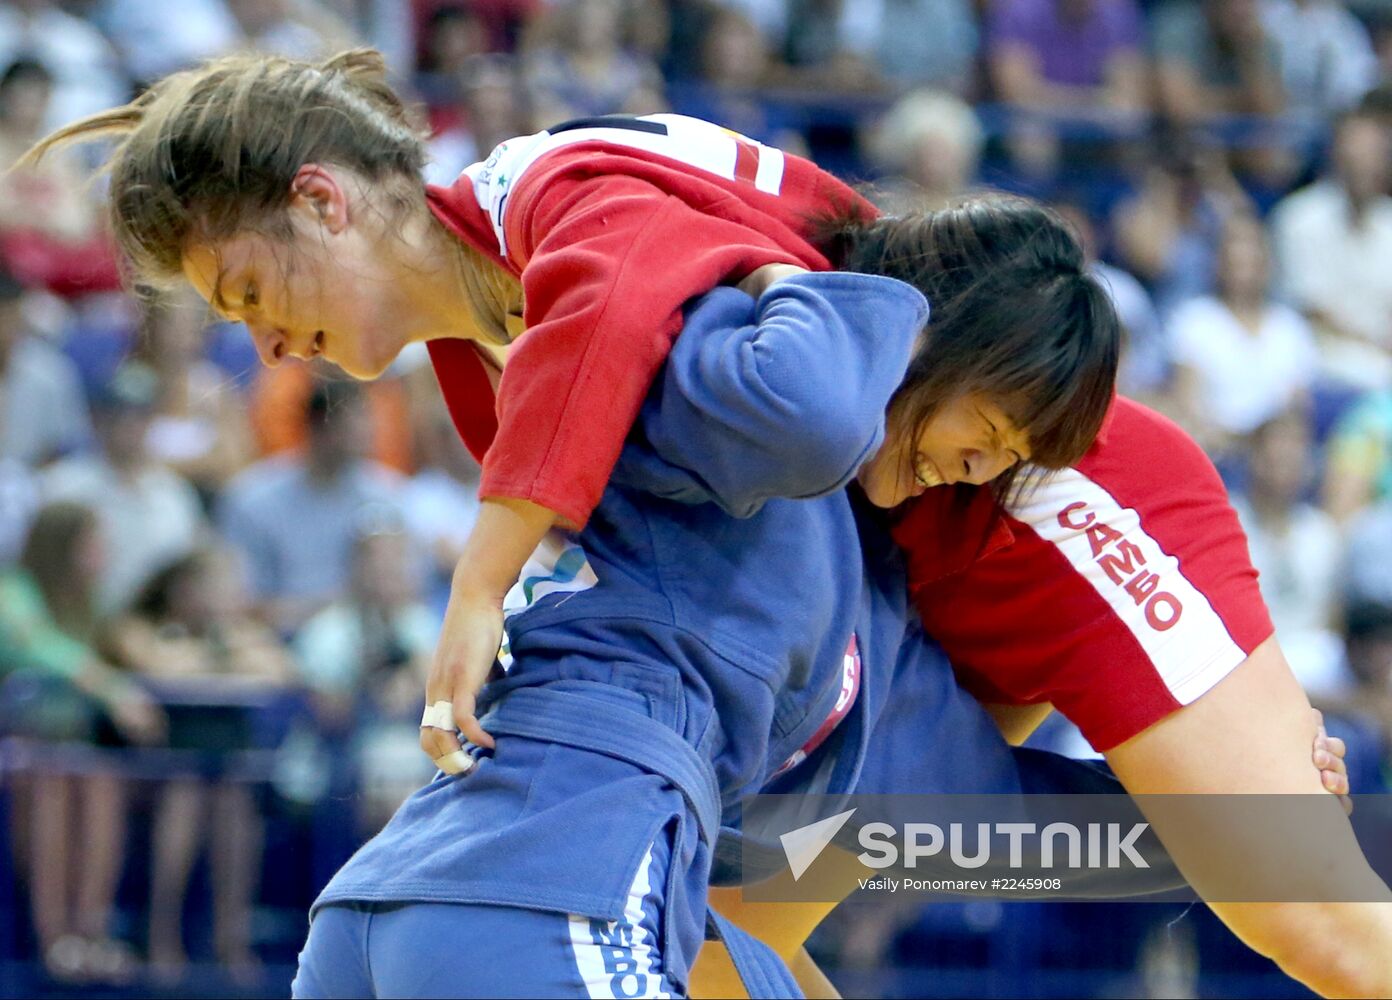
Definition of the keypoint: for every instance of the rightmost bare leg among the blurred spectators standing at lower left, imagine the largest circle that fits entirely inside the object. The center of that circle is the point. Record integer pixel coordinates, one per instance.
(236, 860)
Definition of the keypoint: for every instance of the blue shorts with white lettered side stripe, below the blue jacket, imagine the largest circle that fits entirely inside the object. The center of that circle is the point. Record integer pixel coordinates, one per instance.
(474, 951)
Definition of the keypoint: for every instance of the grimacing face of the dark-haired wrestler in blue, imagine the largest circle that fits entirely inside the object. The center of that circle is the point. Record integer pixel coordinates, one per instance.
(968, 441)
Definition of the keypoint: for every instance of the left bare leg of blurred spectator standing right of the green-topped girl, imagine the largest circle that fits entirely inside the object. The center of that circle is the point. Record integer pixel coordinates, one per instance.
(175, 845)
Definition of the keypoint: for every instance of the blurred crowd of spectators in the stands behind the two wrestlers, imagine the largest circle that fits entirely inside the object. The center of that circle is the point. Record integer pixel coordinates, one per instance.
(221, 586)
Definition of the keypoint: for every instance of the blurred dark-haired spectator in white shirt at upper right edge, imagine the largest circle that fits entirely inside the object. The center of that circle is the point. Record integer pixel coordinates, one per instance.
(1334, 242)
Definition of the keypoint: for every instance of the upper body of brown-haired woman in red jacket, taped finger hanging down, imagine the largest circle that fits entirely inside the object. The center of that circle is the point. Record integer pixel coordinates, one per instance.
(290, 196)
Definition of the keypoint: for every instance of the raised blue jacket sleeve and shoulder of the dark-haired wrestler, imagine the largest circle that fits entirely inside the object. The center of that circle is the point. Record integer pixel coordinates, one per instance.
(783, 398)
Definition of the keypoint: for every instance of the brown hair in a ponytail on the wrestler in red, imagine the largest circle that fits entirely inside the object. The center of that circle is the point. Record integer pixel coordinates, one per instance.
(214, 151)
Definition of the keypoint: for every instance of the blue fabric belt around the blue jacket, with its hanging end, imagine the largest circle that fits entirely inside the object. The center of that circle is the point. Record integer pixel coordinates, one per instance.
(552, 717)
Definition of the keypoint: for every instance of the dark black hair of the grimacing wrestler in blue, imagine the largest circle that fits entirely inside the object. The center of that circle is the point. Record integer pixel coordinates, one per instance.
(1015, 315)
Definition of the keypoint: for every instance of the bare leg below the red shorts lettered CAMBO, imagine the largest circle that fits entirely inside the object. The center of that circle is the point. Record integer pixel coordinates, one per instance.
(1258, 721)
